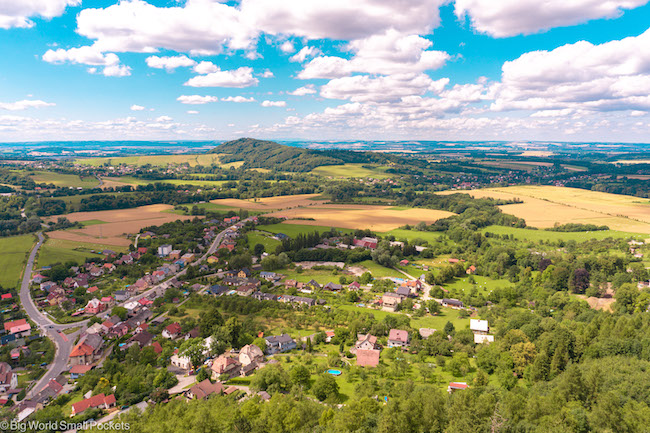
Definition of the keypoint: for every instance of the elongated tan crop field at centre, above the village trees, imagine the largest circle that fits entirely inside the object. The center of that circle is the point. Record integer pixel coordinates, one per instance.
(378, 218)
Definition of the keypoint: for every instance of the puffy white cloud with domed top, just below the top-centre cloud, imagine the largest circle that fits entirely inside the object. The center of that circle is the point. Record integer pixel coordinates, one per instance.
(387, 53)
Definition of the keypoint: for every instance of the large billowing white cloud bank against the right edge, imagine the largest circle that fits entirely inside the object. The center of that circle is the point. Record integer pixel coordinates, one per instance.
(611, 76)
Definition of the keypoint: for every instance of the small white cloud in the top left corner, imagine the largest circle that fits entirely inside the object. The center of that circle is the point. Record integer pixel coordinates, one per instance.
(16, 13)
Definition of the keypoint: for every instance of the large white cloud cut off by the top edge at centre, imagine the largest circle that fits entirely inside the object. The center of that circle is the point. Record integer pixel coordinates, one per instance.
(341, 19)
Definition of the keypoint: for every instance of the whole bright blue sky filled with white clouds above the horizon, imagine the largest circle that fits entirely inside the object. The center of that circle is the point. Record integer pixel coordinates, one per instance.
(558, 70)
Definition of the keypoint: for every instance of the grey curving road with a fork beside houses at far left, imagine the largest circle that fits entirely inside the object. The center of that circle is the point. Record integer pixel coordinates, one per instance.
(54, 331)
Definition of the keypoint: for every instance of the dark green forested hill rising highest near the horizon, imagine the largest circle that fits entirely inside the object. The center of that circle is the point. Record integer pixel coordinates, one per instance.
(268, 154)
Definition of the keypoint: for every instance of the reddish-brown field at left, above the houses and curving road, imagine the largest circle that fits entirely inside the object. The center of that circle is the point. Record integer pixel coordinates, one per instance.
(118, 223)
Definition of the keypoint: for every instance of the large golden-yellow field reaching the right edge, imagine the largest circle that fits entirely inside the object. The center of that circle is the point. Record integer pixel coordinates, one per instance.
(544, 206)
